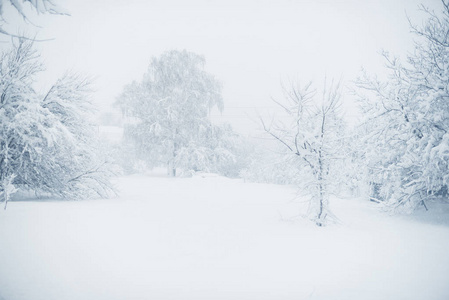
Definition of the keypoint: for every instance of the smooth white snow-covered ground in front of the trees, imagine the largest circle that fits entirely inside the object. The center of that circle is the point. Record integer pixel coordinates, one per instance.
(209, 237)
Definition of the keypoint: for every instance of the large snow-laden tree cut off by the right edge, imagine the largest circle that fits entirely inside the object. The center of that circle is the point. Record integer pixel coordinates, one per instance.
(407, 117)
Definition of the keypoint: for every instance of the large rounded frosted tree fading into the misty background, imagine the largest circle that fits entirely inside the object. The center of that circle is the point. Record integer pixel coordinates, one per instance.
(168, 110)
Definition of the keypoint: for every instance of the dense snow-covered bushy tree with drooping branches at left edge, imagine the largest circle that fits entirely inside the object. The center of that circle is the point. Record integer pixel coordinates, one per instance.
(47, 142)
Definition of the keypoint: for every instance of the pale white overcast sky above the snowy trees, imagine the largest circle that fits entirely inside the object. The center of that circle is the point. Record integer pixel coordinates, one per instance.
(250, 46)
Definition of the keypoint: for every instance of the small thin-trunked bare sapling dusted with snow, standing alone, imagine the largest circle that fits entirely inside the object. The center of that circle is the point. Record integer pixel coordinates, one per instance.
(313, 136)
